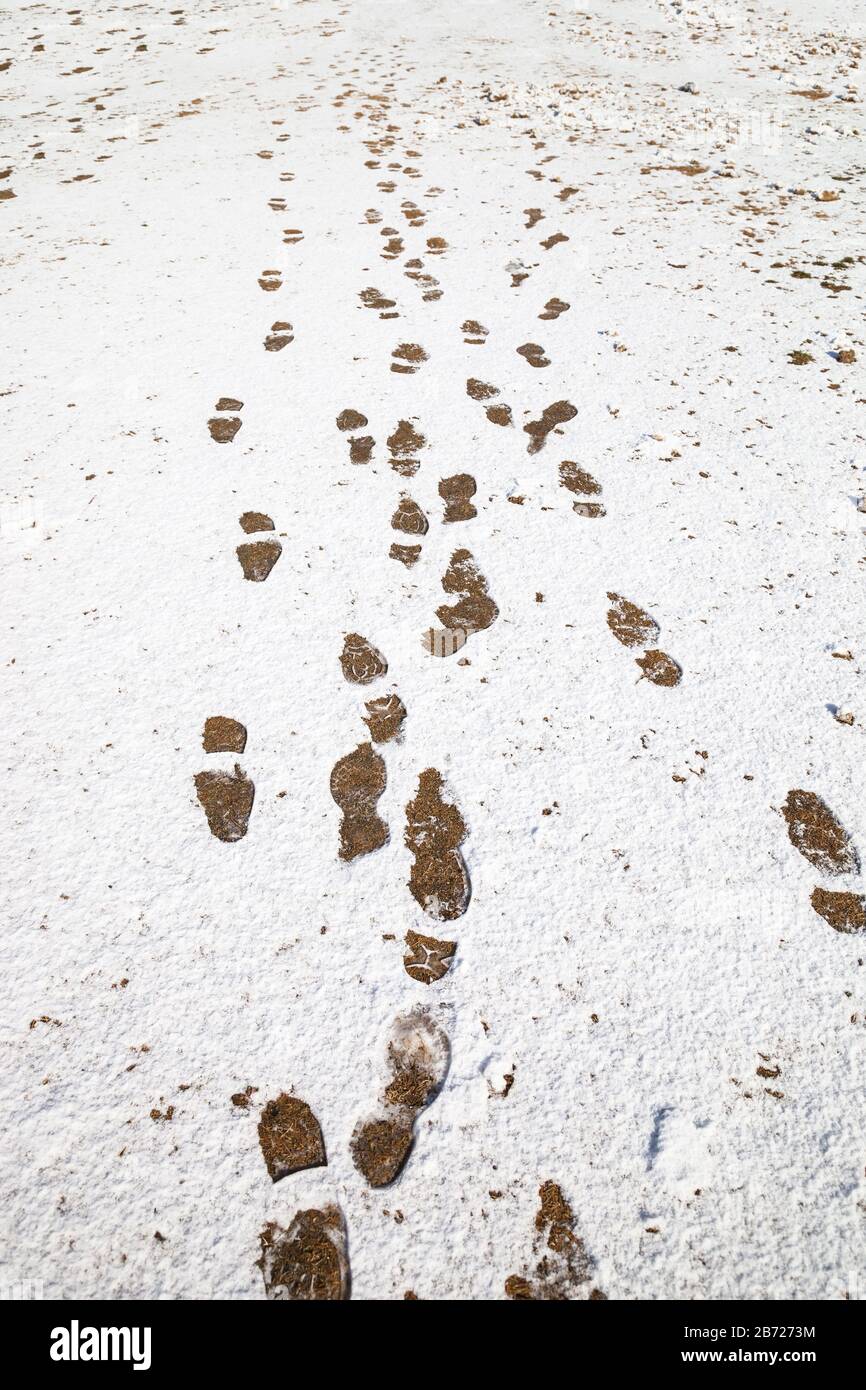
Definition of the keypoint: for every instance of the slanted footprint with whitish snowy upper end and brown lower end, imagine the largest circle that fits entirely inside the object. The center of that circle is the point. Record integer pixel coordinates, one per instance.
(419, 1056)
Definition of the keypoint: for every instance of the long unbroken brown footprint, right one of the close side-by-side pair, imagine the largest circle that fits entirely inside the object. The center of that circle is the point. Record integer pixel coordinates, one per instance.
(434, 833)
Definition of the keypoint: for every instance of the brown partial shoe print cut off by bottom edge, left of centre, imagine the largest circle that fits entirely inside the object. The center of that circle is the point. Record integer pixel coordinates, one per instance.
(307, 1261)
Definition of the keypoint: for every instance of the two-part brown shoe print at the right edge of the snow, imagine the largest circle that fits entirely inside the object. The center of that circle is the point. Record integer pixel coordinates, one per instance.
(824, 842)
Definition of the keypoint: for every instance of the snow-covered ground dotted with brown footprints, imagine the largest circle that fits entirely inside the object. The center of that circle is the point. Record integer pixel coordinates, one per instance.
(644, 1007)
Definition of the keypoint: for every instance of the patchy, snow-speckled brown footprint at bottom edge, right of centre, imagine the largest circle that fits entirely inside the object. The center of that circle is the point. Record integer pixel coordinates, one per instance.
(564, 1268)
